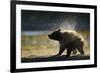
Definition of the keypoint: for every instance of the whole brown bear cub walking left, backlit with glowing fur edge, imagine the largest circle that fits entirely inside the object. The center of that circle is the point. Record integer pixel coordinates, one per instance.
(68, 41)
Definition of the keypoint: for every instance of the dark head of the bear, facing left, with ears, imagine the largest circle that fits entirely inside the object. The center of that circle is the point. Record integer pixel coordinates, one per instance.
(56, 35)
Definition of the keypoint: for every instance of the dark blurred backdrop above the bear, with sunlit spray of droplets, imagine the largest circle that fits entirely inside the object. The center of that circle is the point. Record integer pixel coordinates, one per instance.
(47, 20)
